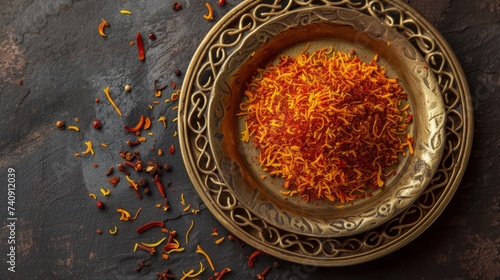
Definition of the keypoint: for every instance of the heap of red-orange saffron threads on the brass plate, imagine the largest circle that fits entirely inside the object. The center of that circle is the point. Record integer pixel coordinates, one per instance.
(328, 123)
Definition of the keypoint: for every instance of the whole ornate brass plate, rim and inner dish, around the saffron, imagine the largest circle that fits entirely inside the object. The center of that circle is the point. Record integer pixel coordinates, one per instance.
(386, 230)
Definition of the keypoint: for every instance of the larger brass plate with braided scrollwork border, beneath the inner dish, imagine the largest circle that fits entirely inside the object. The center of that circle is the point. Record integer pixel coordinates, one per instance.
(334, 249)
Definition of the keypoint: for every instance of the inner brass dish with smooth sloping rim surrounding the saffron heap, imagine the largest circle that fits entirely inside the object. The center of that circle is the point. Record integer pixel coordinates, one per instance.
(344, 30)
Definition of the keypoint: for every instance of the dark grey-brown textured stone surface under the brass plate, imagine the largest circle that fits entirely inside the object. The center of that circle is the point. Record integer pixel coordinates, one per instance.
(53, 64)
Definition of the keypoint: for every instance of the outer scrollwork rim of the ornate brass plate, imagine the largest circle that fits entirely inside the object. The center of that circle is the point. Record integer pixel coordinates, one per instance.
(370, 245)
